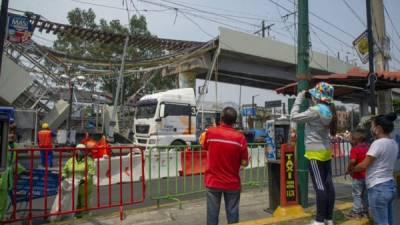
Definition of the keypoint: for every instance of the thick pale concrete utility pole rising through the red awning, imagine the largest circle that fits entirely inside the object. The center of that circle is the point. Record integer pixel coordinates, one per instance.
(381, 57)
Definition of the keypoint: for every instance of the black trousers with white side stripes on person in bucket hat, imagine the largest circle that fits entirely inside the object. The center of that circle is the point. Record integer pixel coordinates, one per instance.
(321, 175)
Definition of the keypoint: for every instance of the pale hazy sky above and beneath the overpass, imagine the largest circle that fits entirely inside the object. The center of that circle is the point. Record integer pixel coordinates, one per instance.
(200, 23)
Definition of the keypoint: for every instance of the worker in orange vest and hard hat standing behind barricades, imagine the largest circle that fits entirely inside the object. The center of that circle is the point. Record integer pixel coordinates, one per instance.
(45, 137)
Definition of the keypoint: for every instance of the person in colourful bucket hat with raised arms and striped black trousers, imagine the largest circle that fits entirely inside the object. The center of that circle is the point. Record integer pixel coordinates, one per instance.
(320, 122)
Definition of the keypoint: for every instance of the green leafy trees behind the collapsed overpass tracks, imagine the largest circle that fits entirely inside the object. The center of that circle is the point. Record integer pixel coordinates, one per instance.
(109, 51)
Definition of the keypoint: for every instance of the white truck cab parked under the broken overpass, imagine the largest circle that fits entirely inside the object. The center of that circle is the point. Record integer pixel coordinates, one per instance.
(166, 118)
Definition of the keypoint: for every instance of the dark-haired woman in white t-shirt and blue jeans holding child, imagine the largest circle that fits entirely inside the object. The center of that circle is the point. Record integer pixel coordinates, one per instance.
(380, 163)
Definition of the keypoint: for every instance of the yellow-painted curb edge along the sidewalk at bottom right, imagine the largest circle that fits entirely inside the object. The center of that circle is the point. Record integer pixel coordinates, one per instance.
(276, 220)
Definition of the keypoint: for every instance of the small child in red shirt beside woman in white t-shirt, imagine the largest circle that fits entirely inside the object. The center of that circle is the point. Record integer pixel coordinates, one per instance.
(358, 153)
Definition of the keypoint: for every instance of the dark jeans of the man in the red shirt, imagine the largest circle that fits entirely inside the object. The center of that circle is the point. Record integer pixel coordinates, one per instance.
(231, 199)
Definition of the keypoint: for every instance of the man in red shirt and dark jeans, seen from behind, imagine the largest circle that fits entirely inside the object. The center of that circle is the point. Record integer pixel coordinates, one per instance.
(227, 152)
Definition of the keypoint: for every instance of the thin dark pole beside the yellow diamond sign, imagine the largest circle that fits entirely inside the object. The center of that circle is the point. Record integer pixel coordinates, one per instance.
(371, 76)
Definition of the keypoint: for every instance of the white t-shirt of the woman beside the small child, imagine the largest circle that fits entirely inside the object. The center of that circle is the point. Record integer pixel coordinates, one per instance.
(385, 151)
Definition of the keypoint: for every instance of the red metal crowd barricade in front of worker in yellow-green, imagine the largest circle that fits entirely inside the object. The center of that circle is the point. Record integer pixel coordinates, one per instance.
(76, 184)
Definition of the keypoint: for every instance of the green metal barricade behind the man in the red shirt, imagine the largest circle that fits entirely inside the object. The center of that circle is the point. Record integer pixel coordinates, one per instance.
(177, 171)
